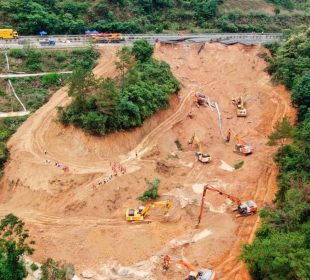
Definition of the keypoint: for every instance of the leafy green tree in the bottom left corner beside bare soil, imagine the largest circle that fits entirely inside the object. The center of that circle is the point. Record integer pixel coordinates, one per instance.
(13, 245)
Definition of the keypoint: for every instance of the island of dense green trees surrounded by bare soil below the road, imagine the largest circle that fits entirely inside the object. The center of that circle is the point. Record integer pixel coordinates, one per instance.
(101, 105)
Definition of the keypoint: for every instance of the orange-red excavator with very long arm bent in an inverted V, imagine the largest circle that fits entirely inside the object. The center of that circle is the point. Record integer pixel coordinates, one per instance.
(246, 208)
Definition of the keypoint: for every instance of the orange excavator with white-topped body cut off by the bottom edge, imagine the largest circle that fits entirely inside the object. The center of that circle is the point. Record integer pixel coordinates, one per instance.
(194, 274)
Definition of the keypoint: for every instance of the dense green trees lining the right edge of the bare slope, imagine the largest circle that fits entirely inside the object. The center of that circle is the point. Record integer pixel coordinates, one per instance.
(281, 249)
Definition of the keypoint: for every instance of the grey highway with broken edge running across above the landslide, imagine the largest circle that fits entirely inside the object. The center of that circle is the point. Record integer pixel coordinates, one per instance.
(80, 41)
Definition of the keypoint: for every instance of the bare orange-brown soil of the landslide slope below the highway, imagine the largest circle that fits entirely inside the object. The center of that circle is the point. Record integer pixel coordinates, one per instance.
(71, 220)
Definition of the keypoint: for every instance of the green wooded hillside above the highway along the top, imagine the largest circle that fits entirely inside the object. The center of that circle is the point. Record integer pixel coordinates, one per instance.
(137, 16)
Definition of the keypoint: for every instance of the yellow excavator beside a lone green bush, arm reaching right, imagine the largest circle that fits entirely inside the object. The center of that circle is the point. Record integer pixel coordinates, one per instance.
(140, 213)
